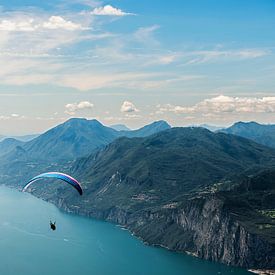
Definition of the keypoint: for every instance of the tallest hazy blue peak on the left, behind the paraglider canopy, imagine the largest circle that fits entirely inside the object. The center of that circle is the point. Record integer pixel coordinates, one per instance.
(71, 139)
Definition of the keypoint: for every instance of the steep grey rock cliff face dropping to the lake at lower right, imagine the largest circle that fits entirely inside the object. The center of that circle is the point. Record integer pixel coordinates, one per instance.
(219, 236)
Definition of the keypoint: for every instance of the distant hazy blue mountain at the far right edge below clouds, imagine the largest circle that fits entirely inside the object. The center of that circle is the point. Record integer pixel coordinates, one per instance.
(263, 134)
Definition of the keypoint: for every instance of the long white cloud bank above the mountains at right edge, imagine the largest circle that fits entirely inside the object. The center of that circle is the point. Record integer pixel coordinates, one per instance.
(224, 105)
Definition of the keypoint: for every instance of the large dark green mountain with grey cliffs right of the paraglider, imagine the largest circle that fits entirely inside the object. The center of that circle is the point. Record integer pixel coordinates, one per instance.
(181, 189)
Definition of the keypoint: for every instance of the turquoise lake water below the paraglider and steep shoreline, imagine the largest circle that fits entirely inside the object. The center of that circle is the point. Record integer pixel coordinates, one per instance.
(80, 245)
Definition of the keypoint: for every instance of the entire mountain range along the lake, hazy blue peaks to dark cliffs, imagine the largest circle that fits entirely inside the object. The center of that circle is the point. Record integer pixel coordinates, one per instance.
(188, 189)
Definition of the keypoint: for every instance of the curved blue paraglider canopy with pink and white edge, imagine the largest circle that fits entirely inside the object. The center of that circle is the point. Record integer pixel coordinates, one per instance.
(56, 175)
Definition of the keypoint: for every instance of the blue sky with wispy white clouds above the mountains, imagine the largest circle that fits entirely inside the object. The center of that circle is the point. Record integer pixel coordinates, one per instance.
(134, 62)
